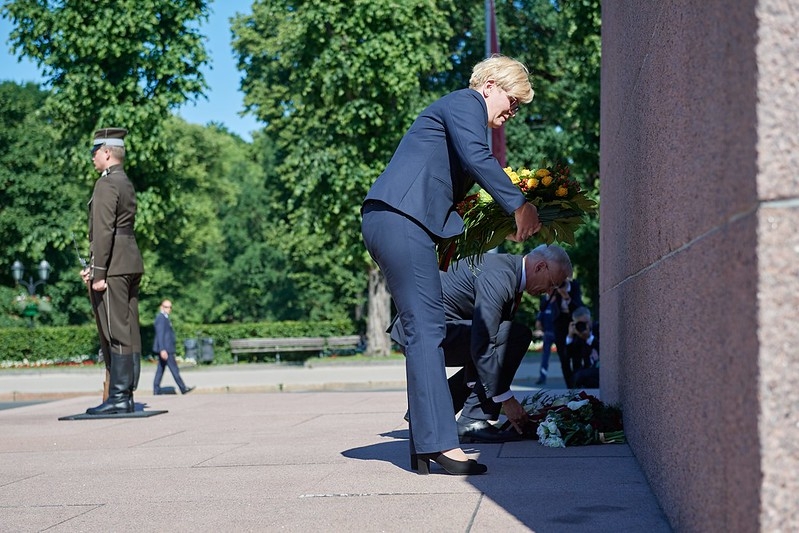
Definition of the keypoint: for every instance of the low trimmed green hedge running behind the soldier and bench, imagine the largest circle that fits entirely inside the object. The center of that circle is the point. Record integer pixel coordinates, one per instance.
(79, 343)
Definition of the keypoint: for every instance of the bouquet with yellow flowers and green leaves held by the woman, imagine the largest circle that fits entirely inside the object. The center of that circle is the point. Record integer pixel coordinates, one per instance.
(561, 205)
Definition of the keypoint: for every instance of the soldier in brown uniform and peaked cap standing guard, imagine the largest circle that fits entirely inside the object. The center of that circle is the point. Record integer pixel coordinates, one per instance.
(114, 272)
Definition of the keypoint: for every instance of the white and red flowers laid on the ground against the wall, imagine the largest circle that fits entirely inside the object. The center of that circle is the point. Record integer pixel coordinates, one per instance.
(573, 419)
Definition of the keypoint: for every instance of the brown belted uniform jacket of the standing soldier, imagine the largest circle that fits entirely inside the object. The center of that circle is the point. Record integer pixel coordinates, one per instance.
(112, 214)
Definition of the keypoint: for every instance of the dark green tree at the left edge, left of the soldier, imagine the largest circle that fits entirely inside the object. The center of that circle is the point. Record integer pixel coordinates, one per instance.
(39, 205)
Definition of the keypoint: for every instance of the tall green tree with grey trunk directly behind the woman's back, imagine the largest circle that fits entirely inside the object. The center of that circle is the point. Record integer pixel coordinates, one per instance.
(336, 84)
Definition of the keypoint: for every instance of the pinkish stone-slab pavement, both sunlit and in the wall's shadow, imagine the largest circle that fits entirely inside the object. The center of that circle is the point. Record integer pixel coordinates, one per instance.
(328, 453)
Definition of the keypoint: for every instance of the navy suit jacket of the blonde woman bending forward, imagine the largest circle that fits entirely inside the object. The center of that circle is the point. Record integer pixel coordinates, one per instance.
(438, 160)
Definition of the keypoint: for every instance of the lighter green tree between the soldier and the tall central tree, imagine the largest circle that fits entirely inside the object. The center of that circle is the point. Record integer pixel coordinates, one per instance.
(192, 211)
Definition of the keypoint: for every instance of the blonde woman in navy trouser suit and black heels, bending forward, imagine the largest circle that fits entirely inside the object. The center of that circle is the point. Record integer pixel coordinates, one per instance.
(411, 206)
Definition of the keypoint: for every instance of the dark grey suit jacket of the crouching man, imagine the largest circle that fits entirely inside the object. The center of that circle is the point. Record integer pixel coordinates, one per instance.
(481, 298)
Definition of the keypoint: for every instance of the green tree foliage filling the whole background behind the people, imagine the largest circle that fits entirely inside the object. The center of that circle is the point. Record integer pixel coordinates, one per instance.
(268, 230)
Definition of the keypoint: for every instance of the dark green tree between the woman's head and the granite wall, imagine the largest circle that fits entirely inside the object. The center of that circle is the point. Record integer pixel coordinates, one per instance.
(560, 43)
